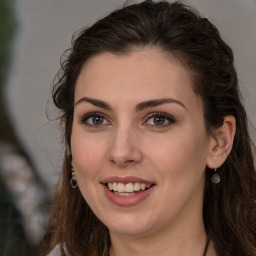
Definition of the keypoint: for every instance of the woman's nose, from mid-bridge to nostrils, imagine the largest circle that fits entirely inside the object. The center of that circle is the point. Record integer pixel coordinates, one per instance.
(124, 148)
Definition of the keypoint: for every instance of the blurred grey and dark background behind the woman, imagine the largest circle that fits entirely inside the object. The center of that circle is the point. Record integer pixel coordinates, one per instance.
(33, 35)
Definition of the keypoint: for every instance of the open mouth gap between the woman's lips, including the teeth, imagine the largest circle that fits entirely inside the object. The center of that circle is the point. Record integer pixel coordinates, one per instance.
(127, 189)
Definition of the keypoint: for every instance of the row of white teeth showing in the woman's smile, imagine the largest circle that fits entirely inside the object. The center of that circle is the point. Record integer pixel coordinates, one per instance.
(127, 188)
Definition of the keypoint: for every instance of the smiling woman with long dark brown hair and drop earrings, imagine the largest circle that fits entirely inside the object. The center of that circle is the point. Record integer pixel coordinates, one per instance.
(158, 159)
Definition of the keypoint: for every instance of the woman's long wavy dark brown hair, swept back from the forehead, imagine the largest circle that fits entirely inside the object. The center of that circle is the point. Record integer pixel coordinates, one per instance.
(229, 209)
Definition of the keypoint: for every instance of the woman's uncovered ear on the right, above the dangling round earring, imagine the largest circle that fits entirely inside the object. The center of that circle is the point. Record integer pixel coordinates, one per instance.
(221, 142)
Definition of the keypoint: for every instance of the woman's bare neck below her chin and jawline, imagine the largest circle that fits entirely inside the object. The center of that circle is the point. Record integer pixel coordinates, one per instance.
(179, 240)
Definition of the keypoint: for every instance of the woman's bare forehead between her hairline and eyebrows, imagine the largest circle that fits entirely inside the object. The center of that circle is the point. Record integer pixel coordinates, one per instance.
(140, 74)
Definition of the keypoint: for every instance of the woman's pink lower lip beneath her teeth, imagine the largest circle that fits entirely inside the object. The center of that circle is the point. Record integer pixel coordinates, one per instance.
(128, 200)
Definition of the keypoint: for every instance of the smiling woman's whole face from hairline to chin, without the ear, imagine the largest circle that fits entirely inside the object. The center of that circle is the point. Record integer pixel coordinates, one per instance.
(139, 144)
